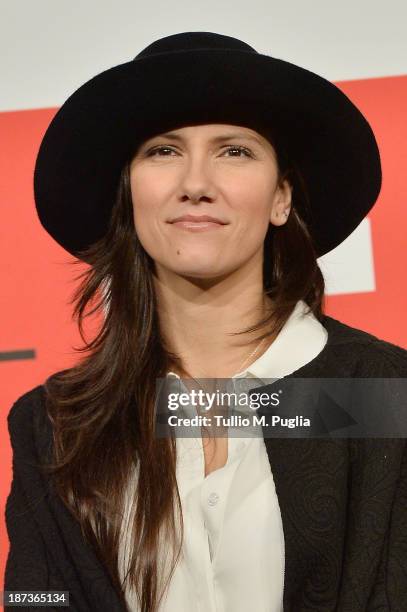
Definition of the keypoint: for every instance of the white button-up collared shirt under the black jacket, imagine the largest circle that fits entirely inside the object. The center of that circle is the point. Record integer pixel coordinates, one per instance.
(232, 558)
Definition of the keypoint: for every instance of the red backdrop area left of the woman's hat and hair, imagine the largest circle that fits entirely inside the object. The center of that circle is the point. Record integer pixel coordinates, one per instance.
(37, 282)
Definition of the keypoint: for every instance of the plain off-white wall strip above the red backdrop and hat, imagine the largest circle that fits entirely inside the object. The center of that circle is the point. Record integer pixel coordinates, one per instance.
(50, 47)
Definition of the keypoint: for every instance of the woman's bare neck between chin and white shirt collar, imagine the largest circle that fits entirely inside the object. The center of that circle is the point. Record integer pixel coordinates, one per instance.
(197, 320)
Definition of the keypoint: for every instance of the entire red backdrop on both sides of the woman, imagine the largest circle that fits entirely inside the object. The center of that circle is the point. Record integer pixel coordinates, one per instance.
(37, 282)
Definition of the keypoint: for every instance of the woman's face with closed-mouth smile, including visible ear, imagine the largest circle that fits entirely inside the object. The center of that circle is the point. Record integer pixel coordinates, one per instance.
(224, 171)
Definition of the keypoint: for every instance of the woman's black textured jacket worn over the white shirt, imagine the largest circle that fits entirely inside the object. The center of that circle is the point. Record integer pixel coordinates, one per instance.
(343, 504)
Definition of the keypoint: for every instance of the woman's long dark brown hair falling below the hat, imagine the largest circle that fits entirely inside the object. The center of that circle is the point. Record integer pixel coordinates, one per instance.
(103, 409)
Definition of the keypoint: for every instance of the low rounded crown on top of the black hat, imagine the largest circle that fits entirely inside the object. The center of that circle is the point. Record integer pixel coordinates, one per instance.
(188, 41)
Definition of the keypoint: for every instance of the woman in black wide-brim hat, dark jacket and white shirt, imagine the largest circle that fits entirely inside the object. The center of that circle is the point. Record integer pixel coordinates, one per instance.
(201, 124)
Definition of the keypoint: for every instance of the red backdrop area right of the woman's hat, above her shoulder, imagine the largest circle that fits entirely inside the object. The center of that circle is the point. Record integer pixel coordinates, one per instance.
(383, 312)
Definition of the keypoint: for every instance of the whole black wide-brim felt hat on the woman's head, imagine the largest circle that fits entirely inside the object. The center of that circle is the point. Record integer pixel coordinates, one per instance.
(195, 78)
